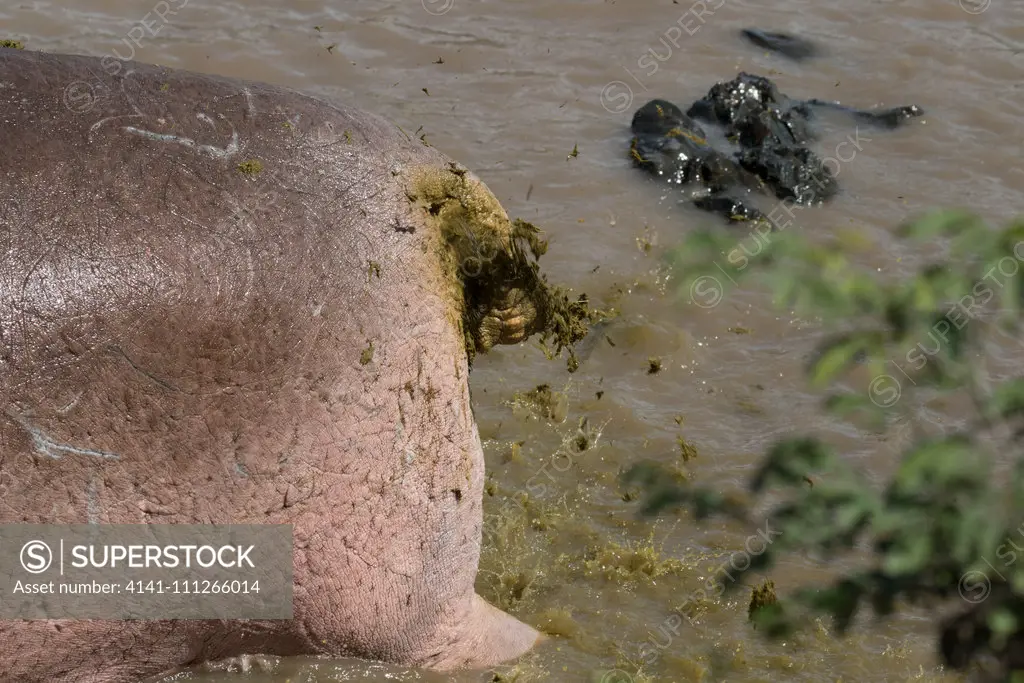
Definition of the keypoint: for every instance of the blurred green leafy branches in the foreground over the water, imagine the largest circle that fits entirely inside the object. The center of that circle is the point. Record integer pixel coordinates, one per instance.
(946, 531)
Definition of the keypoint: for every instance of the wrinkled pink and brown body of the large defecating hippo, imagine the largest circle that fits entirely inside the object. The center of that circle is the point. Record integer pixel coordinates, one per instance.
(217, 363)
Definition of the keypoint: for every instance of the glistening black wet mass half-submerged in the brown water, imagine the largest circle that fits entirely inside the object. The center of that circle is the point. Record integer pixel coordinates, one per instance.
(766, 138)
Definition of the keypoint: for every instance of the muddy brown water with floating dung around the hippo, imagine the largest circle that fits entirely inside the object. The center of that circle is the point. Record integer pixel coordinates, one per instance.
(509, 89)
